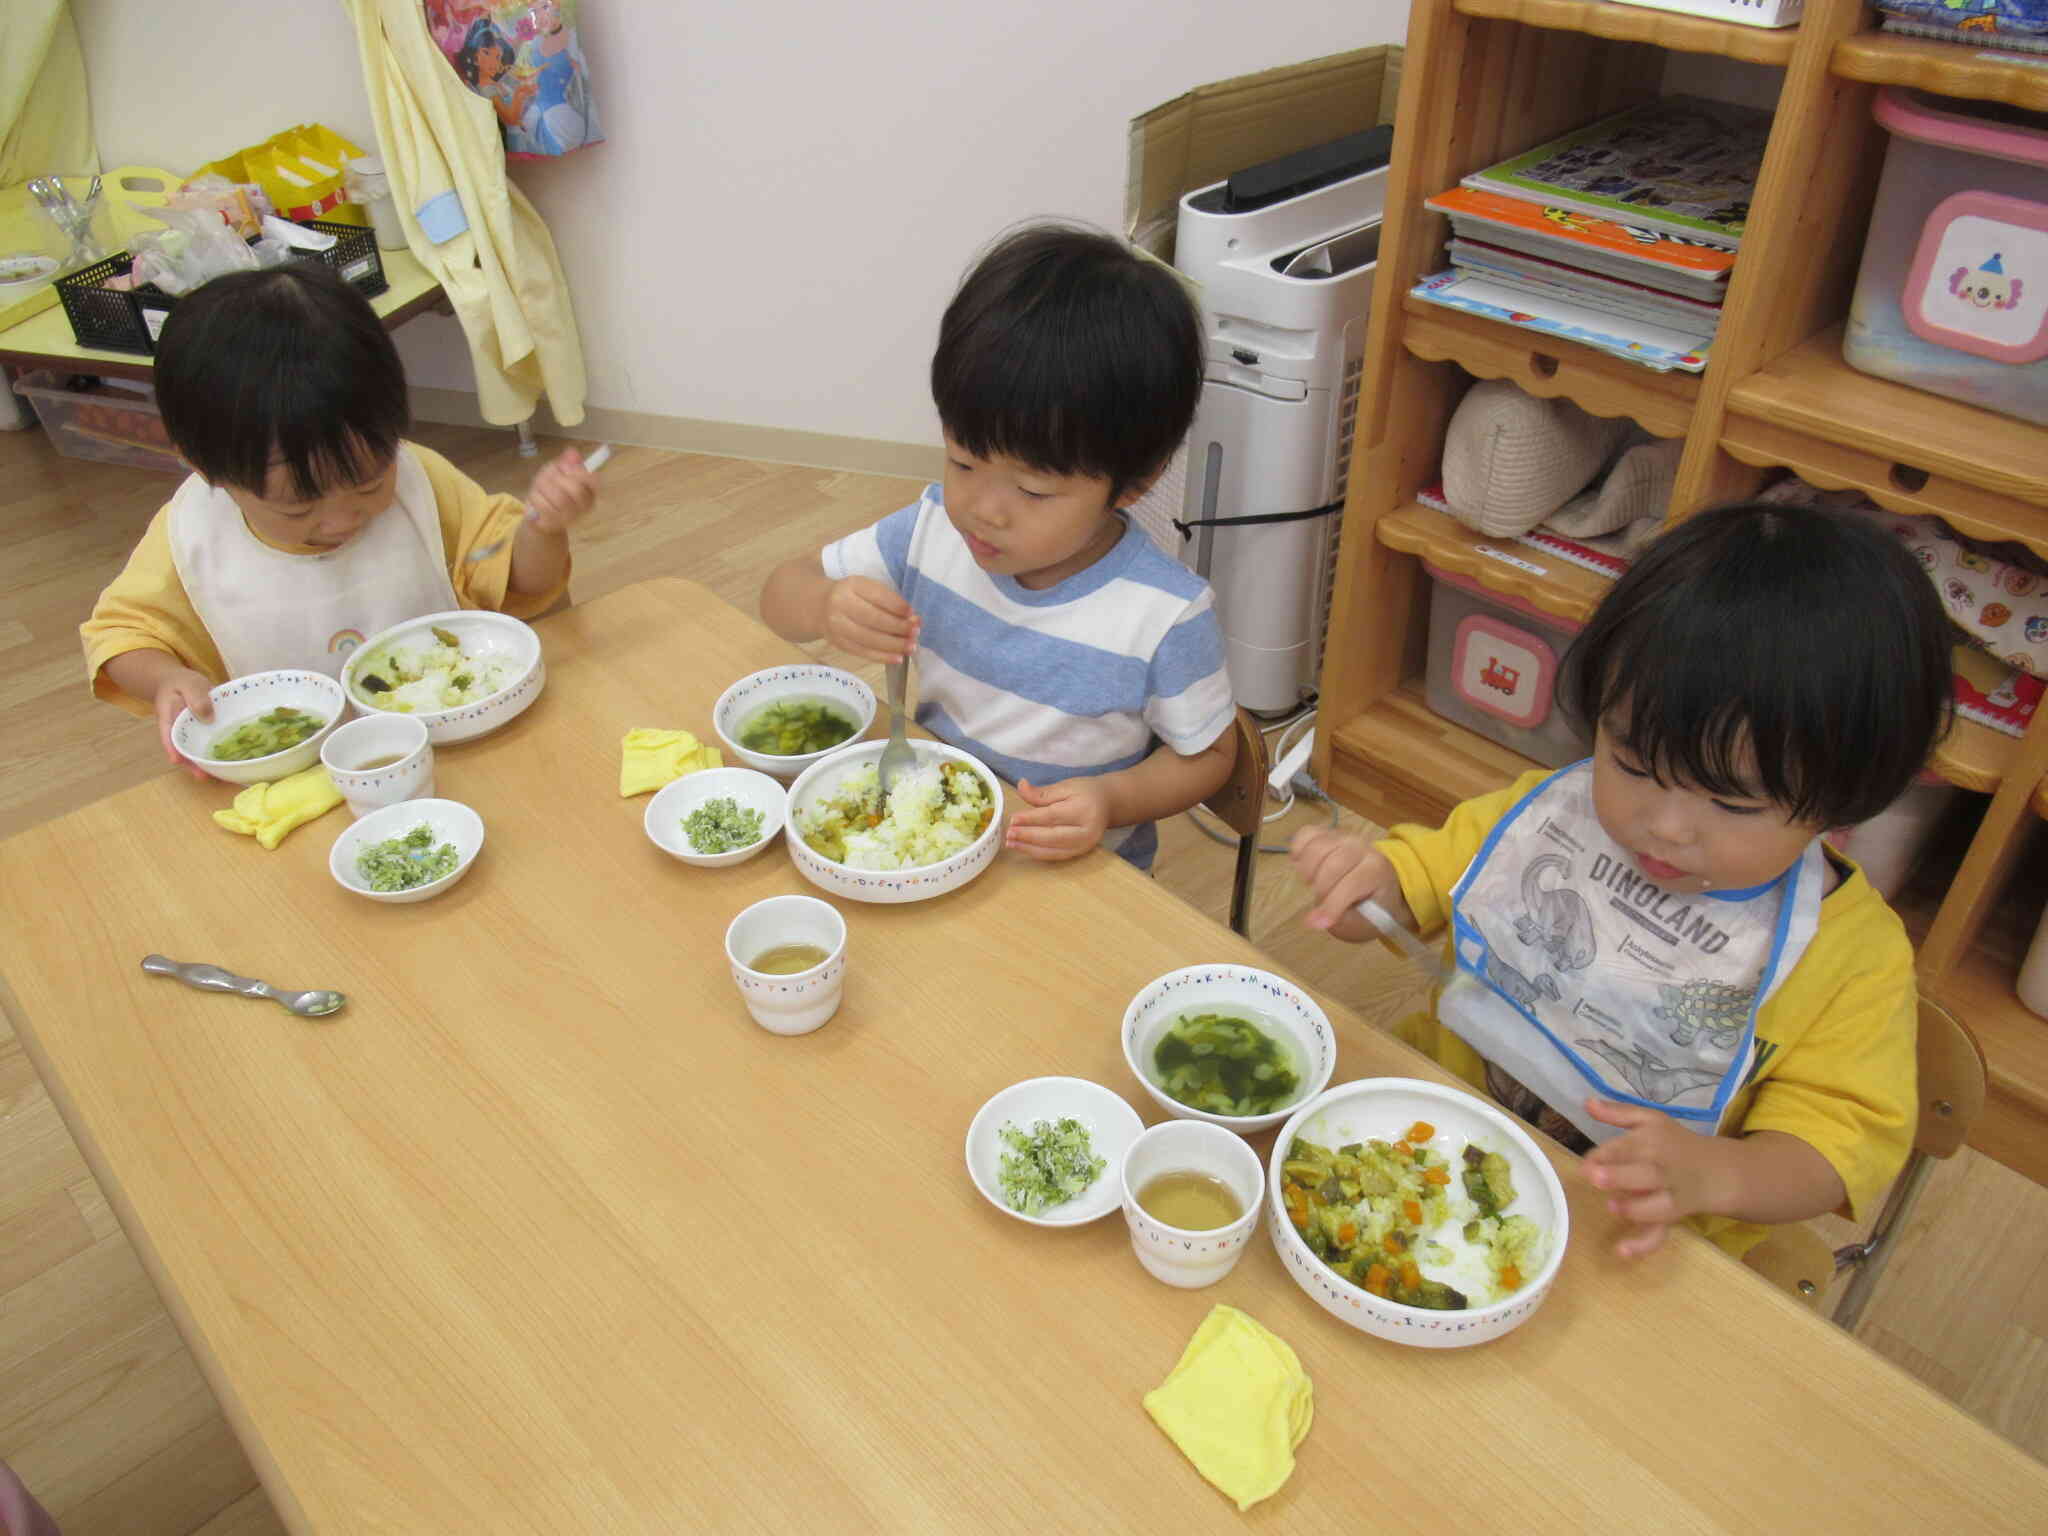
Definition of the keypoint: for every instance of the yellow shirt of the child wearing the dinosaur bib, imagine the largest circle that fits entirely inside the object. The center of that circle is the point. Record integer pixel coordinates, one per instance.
(1836, 1043)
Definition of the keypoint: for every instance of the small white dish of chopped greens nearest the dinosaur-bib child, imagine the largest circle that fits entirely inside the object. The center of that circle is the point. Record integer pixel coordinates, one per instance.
(1052, 1150)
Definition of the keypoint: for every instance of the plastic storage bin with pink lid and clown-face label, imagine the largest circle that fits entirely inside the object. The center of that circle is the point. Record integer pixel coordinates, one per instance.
(1953, 296)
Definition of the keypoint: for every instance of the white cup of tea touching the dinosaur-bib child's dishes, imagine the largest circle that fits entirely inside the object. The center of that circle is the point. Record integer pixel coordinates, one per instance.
(1193, 1197)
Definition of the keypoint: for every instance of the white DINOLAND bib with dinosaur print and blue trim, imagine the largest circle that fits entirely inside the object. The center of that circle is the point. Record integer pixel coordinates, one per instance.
(1580, 976)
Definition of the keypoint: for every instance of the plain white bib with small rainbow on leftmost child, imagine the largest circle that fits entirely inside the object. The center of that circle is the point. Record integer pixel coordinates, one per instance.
(267, 609)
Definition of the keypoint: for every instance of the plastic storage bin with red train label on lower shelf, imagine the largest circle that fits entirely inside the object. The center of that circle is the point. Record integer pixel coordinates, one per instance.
(1494, 669)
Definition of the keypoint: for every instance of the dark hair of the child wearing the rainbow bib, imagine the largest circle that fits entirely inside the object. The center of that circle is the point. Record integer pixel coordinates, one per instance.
(288, 366)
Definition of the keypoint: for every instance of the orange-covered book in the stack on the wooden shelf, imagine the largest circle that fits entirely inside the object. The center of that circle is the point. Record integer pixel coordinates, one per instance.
(1625, 251)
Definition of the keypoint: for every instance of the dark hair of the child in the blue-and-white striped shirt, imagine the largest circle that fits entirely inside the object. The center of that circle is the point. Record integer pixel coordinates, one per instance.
(1070, 353)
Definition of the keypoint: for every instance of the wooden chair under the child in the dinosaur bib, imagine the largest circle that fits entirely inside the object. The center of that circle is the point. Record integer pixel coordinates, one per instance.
(1951, 1097)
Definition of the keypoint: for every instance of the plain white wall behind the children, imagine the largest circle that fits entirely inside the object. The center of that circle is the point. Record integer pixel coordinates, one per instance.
(790, 191)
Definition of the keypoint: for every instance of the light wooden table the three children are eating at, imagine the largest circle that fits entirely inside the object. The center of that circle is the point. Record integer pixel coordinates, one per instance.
(546, 1236)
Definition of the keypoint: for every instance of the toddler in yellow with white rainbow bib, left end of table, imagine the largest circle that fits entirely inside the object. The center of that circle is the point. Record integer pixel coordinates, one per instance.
(308, 521)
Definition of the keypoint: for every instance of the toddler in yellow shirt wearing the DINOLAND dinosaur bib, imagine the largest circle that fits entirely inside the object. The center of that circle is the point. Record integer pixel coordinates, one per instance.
(1658, 959)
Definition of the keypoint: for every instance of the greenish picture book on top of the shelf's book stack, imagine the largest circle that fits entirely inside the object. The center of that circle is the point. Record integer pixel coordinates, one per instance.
(1678, 165)
